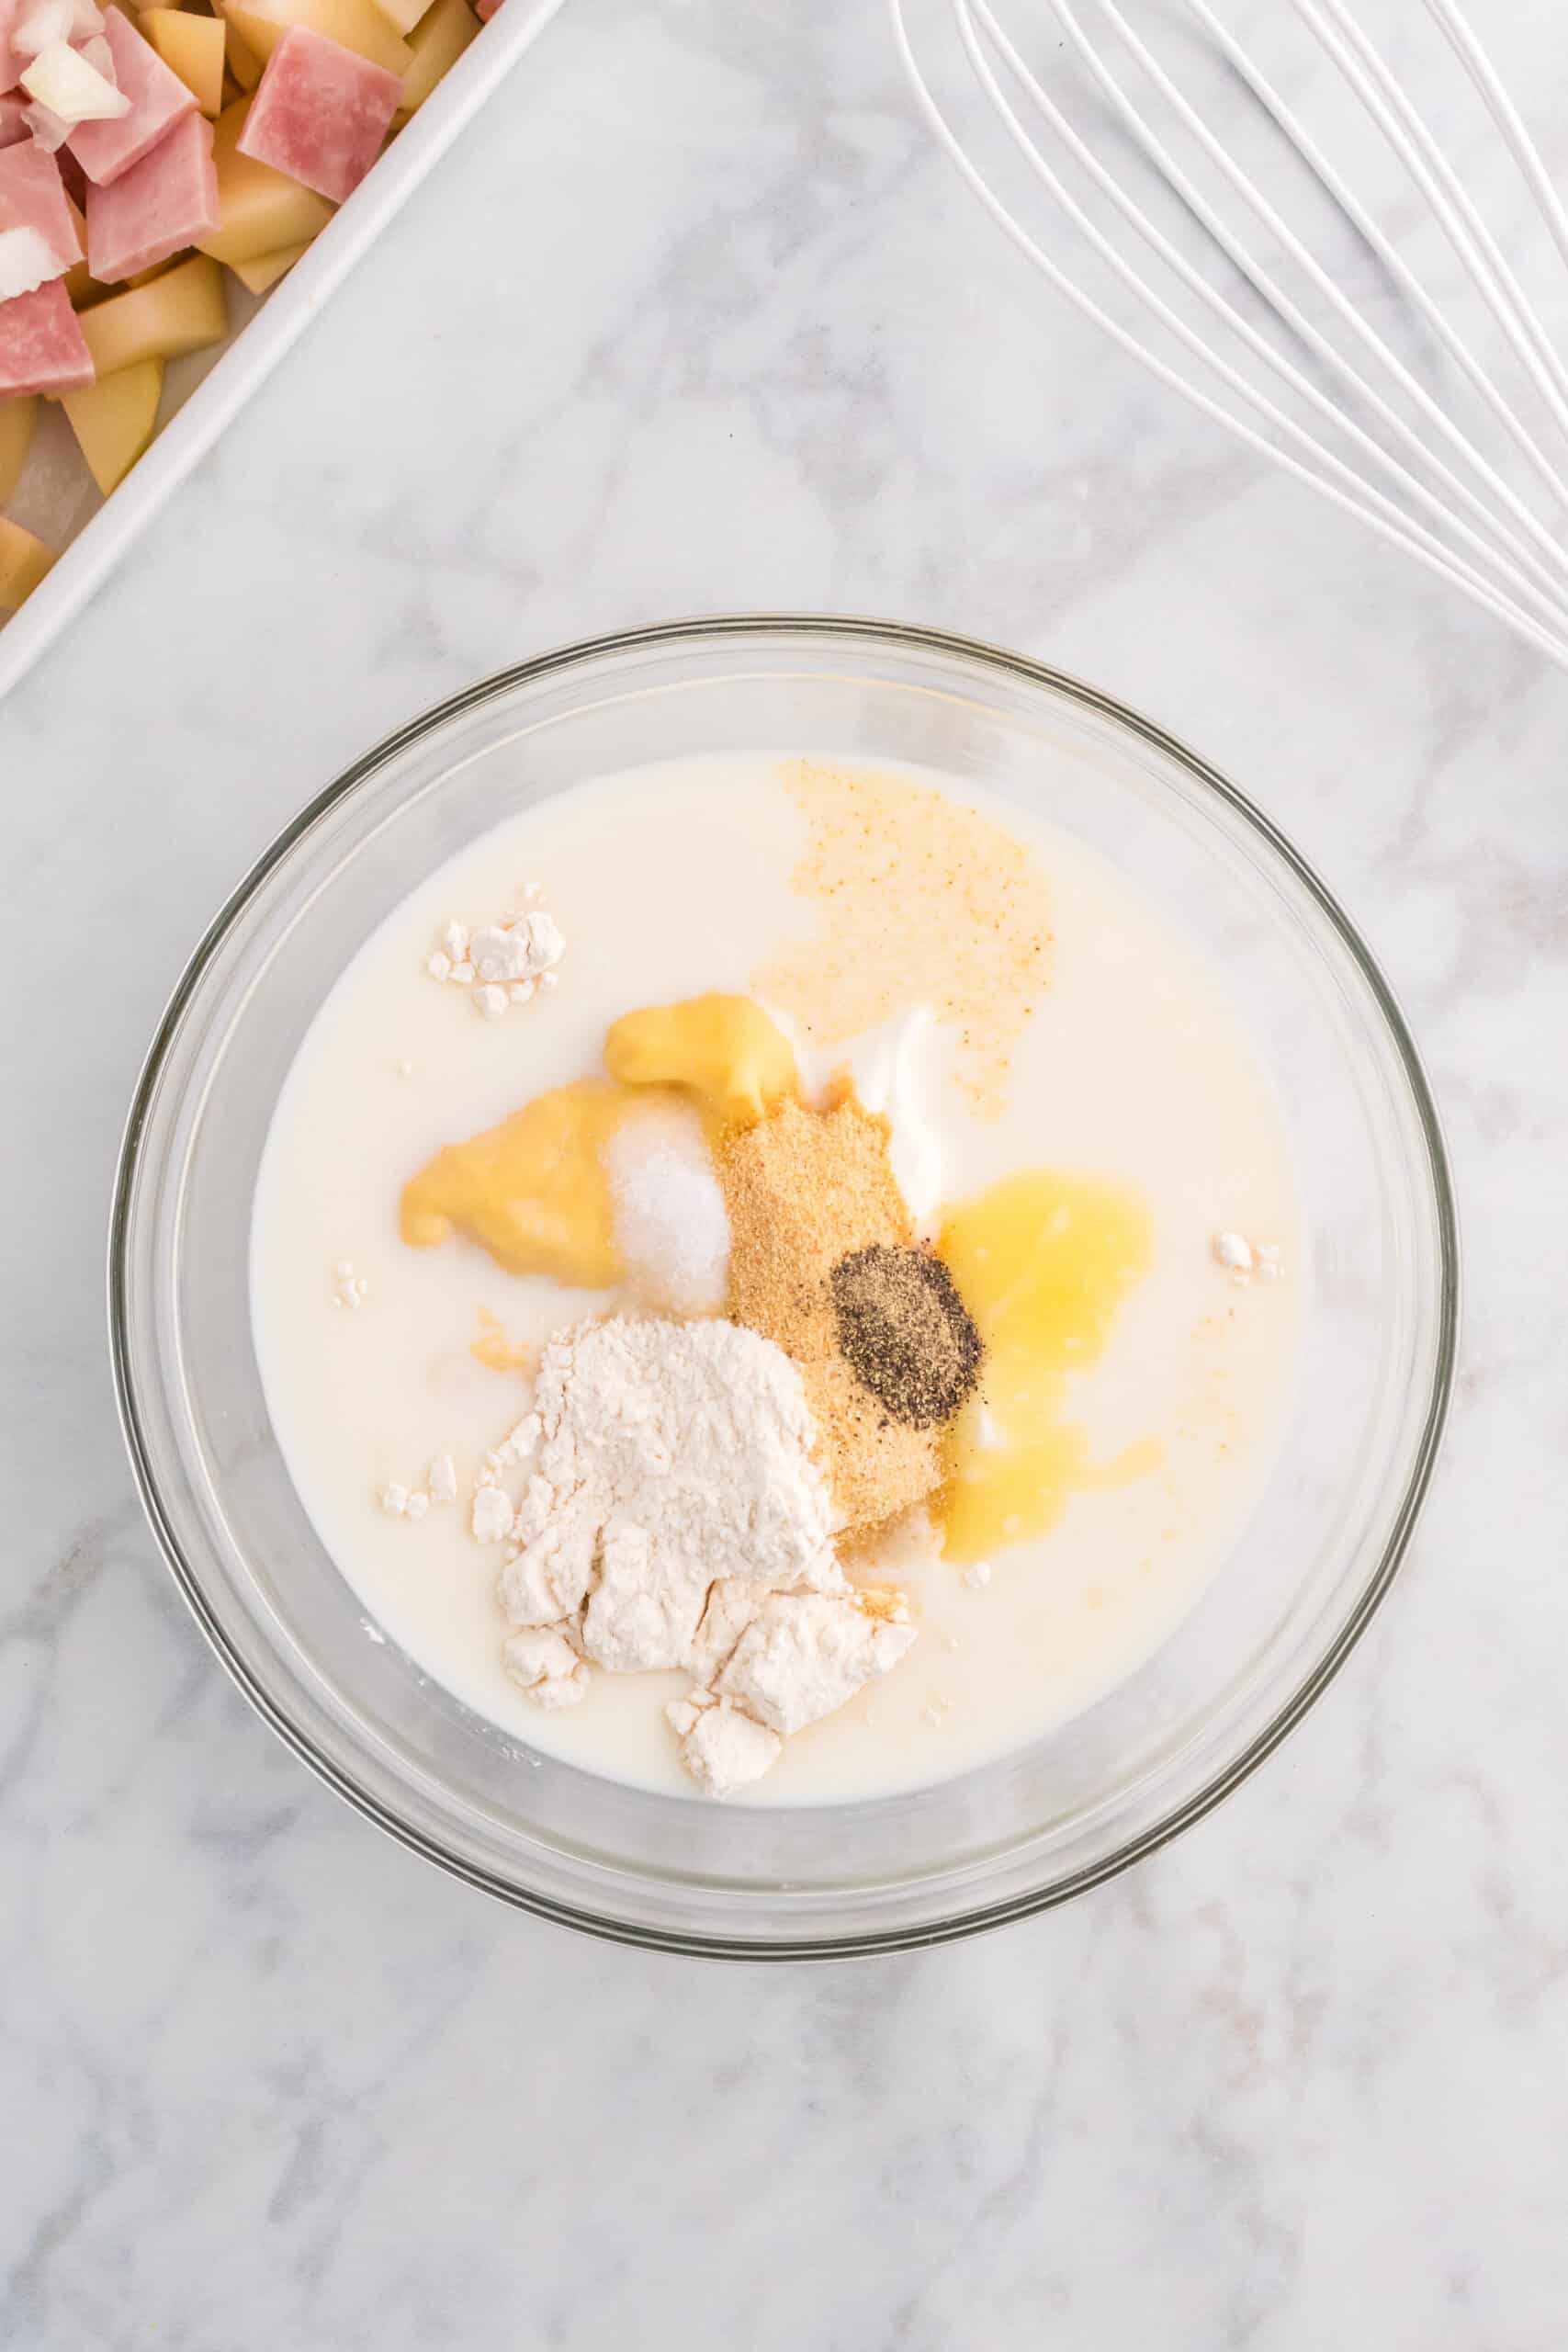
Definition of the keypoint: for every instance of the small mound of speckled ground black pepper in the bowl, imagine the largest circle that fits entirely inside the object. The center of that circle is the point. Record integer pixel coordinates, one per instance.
(906, 1332)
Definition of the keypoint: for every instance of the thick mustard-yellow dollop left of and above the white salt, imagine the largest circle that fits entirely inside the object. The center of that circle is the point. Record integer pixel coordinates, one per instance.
(535, 1191)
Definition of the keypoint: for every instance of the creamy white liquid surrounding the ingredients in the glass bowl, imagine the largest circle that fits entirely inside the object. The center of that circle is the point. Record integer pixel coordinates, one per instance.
(678, 881)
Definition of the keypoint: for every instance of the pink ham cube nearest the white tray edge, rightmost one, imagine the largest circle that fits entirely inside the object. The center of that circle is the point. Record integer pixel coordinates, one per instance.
(321, 114)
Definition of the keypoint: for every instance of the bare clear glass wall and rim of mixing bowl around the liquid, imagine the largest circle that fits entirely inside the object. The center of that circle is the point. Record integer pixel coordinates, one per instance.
(1019, 1833)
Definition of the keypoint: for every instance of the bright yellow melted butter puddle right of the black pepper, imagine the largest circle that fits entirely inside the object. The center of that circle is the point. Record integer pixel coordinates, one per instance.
(1043, 1264)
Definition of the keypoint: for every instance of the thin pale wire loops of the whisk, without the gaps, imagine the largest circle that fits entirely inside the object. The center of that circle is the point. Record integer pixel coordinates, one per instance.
(1386, 446)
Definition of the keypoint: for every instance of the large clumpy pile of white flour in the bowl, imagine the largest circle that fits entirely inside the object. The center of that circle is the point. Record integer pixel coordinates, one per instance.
(674, 1518)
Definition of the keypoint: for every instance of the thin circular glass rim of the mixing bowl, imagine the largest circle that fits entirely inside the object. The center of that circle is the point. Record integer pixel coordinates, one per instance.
(1292, 1709)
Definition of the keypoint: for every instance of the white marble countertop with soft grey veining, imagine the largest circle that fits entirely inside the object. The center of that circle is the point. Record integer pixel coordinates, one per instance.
(699, 321)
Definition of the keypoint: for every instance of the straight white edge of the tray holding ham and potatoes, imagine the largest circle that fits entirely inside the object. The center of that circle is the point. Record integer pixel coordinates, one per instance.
(262, 342)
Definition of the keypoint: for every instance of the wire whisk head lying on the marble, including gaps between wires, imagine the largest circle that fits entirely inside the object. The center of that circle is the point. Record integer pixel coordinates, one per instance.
(1311, 274)
